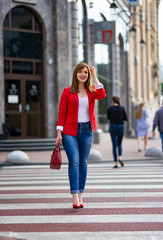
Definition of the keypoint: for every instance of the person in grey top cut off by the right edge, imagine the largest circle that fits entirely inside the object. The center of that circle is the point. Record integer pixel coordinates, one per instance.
(158, 122)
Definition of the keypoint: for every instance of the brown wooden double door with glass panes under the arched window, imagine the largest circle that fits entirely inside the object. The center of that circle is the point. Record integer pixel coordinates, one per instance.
(23, 104)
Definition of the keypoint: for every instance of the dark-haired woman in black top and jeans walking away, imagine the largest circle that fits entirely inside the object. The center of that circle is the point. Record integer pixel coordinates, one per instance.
(117, 115)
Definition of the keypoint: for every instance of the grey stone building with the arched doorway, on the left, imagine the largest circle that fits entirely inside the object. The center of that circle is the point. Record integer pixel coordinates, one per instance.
(38, 48)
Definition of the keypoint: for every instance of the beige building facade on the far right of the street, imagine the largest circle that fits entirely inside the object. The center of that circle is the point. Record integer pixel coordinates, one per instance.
(144, 57)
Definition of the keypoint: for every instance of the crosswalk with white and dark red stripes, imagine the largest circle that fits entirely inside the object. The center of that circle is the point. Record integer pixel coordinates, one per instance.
(124, 203)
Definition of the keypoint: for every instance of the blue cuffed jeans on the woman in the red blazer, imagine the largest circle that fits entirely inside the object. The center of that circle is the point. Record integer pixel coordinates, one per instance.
(77, 149)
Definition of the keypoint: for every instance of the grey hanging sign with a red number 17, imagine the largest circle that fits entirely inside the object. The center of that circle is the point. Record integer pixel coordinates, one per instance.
(105, 32)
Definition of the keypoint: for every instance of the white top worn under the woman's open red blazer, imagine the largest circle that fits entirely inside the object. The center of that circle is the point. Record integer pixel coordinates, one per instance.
(83, 112)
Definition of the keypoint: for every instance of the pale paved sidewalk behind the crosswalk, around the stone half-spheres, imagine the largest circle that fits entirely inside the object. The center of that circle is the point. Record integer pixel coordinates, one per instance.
(130, 151)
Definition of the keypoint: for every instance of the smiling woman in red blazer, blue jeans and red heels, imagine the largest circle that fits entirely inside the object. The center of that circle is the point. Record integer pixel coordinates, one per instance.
(76, 123)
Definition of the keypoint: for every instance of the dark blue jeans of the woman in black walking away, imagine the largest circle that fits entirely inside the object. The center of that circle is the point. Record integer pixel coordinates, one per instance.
(117, 133)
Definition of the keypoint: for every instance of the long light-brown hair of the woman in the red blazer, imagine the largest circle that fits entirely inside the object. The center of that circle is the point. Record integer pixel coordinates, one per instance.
(88, 84)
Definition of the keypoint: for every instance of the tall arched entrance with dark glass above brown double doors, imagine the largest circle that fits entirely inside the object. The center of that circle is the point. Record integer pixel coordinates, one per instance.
(23, 73)
